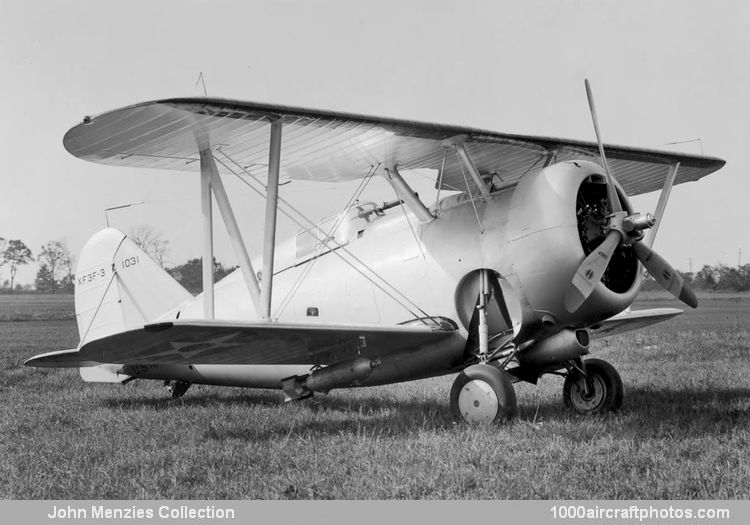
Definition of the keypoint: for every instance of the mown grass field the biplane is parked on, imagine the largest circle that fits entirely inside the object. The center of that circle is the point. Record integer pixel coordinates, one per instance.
(683, 432)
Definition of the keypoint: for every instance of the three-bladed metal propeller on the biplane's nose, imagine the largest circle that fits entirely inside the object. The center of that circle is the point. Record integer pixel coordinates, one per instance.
(623, 229)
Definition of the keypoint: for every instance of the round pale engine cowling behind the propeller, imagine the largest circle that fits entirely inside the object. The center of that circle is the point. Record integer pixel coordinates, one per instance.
(556, 219)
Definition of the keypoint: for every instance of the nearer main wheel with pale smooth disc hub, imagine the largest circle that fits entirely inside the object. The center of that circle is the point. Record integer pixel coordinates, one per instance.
(483, 394)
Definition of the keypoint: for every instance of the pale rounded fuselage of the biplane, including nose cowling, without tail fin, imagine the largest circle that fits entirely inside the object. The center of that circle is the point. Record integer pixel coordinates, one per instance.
(385, 267)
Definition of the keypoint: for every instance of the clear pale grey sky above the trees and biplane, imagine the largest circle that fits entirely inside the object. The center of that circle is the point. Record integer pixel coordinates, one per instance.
(662, 72)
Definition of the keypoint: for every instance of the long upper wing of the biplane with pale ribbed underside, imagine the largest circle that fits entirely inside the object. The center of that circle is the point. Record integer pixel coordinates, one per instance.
(331, 146)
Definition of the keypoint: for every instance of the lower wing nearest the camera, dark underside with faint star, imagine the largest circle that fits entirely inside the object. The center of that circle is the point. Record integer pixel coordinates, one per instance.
(214, 342)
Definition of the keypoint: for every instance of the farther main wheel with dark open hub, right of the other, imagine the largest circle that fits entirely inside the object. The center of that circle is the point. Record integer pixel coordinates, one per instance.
(605, 389)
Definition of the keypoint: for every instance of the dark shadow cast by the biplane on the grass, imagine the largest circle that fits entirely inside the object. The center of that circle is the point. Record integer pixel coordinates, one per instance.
(657, 412)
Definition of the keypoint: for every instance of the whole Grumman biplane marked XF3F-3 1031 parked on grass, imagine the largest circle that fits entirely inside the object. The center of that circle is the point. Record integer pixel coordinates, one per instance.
(536, 250)
